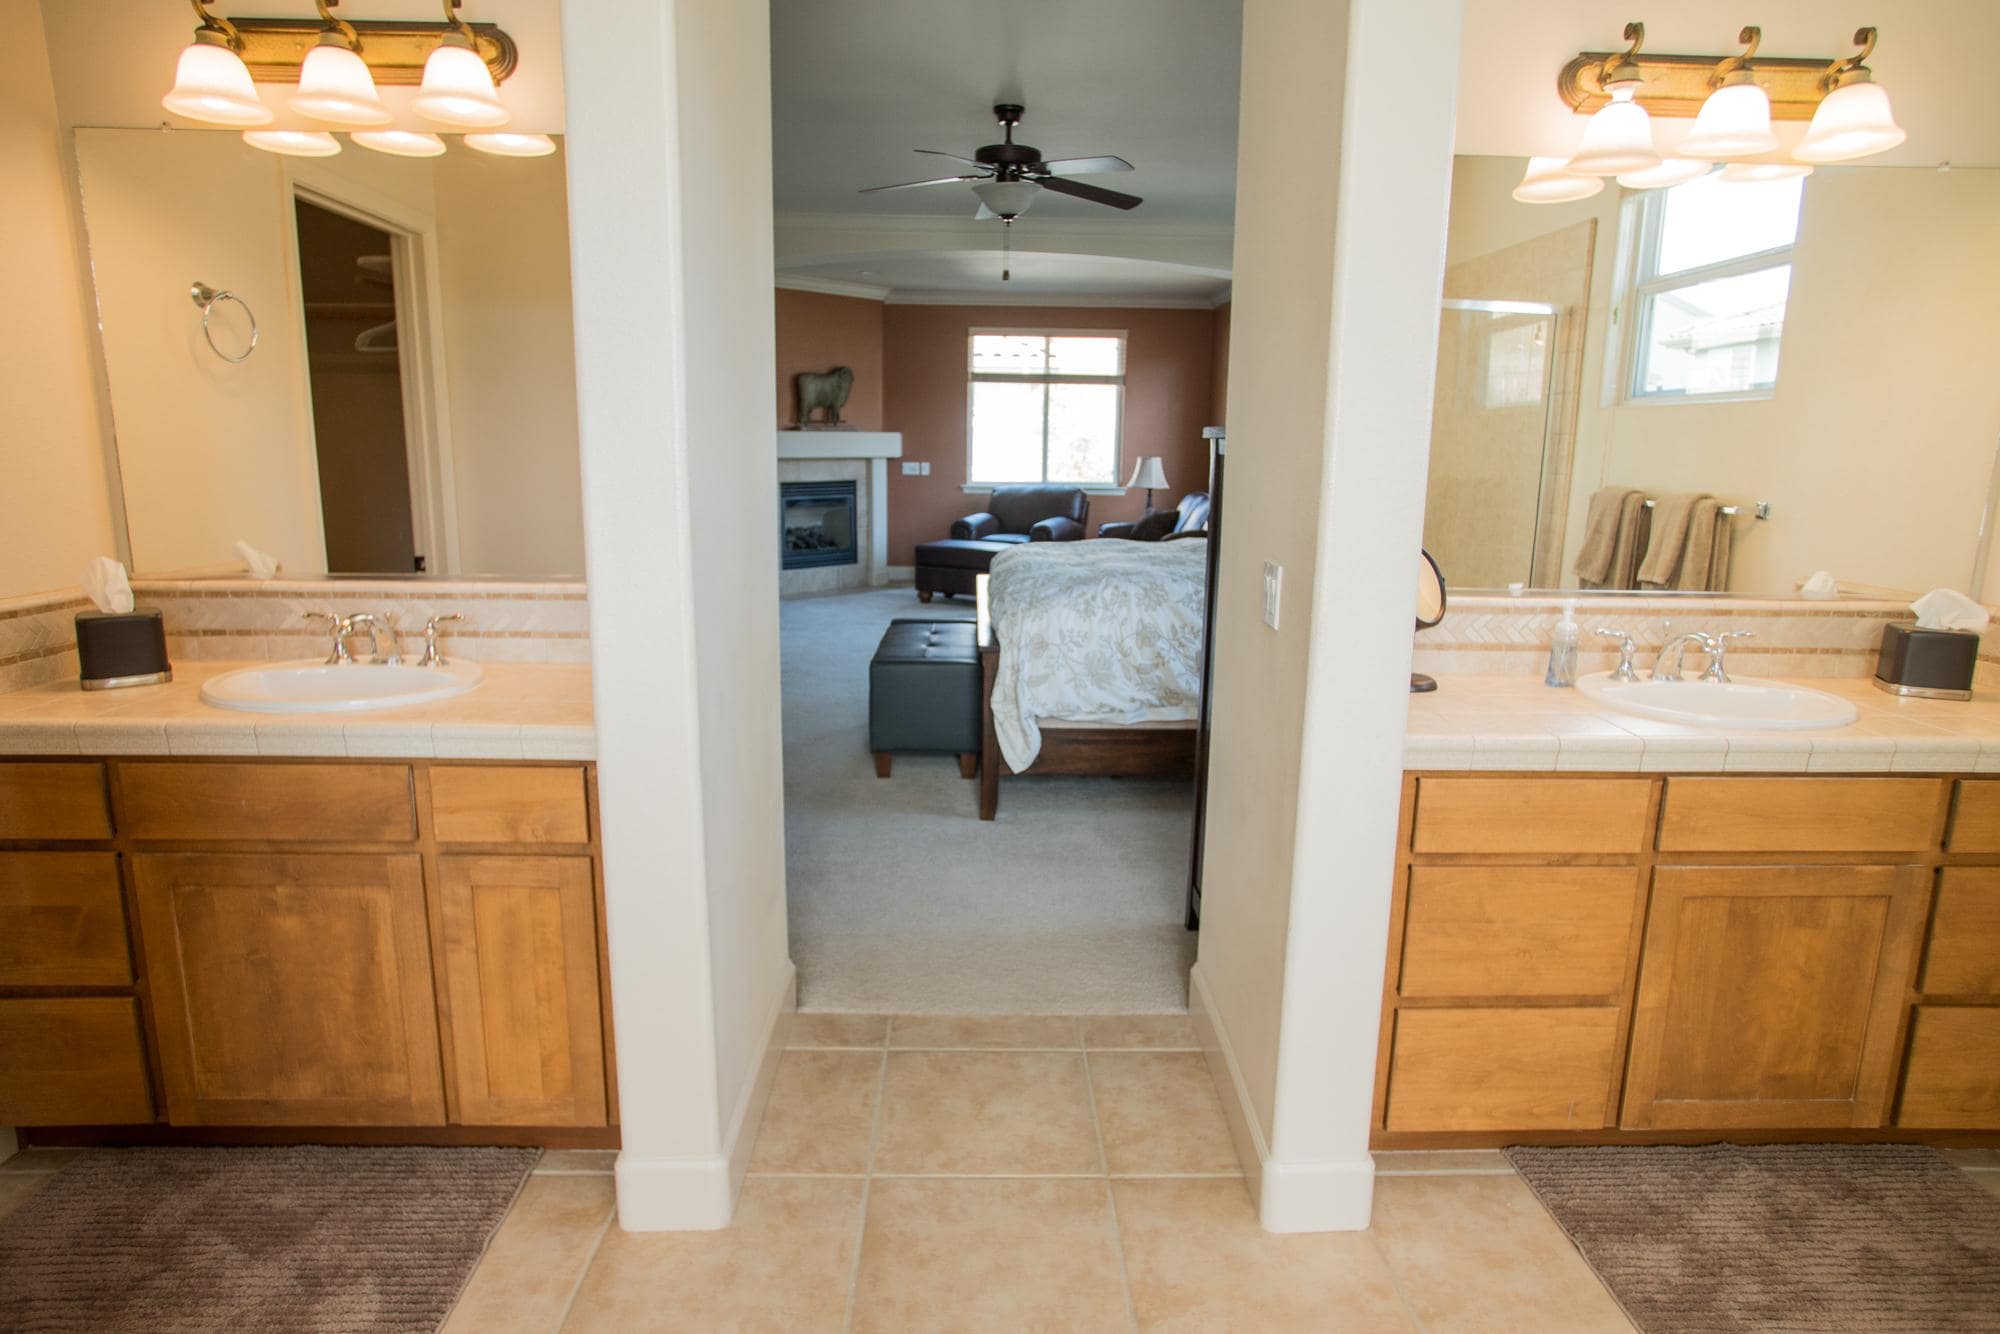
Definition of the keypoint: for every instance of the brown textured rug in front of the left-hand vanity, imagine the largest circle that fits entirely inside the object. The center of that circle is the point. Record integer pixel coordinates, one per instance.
(323, 1241)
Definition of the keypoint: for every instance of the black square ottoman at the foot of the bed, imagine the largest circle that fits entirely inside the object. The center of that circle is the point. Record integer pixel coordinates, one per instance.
(925, 693)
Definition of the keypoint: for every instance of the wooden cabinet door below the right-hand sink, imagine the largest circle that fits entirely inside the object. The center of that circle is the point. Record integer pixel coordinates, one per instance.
(1769, 997)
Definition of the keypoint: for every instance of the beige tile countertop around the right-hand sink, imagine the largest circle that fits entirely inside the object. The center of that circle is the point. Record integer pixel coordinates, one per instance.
(1517, 723)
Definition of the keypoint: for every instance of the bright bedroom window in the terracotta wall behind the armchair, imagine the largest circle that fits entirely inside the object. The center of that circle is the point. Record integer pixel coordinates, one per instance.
(1045, 407)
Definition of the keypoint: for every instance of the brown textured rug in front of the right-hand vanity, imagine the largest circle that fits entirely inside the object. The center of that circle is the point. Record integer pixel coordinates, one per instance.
(1779, 1237)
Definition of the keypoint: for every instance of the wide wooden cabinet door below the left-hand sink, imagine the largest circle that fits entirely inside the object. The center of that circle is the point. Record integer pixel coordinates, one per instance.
(291, 991)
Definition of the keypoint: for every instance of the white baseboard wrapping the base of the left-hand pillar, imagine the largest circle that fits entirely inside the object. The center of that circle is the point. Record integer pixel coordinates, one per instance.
(699, 1195)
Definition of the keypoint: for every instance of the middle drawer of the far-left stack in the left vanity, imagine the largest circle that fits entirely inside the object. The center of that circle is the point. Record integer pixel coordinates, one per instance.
(63, 921)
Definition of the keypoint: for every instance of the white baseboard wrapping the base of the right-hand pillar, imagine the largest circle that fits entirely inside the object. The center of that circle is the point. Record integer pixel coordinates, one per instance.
(1291, 1197)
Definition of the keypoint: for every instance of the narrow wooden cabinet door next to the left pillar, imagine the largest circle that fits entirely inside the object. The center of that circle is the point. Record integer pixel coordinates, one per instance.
(521, 975)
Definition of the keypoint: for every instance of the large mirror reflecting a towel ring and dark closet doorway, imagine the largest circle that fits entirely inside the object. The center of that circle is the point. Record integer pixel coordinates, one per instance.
(409, 405)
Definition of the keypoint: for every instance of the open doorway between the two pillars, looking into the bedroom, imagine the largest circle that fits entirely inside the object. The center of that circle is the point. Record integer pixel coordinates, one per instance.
(935, 299)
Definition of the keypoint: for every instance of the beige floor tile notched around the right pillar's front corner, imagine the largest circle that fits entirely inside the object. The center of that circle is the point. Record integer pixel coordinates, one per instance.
(1199, 1261)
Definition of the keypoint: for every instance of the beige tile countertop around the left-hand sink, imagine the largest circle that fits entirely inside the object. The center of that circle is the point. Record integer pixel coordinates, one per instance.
(523, 711)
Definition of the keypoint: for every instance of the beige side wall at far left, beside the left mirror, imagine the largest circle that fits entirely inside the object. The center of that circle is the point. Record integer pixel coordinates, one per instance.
(55, 499)
